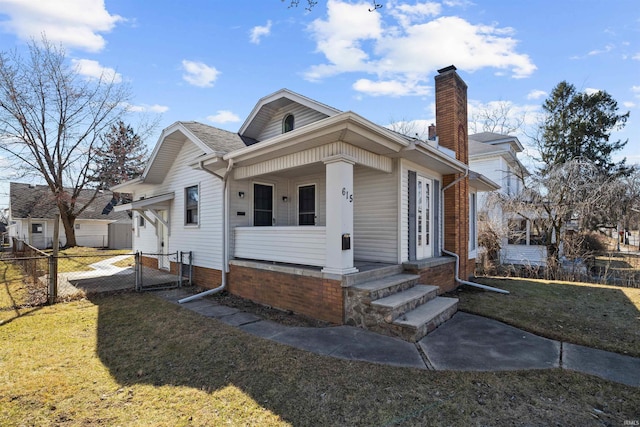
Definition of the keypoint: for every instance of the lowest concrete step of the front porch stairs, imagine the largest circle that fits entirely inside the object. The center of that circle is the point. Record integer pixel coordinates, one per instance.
(416, 324)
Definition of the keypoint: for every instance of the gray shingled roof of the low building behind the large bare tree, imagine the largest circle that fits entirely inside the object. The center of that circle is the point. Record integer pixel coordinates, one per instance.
(38, 202)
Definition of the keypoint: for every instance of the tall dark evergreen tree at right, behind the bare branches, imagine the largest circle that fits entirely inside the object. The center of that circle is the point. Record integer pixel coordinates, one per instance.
(578, 126)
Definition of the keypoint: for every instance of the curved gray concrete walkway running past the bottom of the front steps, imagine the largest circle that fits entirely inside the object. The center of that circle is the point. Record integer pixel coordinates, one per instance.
(466, 342)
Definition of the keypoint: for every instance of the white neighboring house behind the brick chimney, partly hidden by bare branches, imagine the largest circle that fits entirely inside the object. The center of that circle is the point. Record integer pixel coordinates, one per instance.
(496, 157)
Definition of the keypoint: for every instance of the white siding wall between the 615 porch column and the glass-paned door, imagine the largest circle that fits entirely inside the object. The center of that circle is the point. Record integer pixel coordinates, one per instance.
(375, 215)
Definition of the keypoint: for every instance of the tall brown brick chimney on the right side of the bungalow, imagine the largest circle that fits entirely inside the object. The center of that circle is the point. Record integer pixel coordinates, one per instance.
(451, 122)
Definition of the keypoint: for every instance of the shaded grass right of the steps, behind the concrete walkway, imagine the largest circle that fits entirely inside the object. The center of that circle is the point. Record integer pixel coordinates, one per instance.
(599, 316)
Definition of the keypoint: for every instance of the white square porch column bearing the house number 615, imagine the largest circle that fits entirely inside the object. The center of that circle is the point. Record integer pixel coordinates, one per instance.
(339, 212)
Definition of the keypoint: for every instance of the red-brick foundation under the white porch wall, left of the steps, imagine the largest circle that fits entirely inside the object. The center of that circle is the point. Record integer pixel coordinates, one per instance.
(311, 296)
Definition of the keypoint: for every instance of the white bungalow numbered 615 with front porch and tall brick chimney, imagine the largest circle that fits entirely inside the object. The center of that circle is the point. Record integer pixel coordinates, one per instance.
(318, 211)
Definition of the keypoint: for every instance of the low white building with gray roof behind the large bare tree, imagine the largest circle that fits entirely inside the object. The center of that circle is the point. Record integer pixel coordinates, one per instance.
(32, 212)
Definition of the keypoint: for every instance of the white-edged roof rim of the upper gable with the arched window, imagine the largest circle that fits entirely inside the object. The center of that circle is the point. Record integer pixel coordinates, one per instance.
(267, 105)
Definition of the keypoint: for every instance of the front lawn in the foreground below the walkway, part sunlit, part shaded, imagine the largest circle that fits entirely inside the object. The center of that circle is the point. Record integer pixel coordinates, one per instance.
(134, 359)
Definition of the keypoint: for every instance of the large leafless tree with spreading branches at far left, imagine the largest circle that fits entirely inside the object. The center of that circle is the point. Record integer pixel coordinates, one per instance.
(51, 119)
